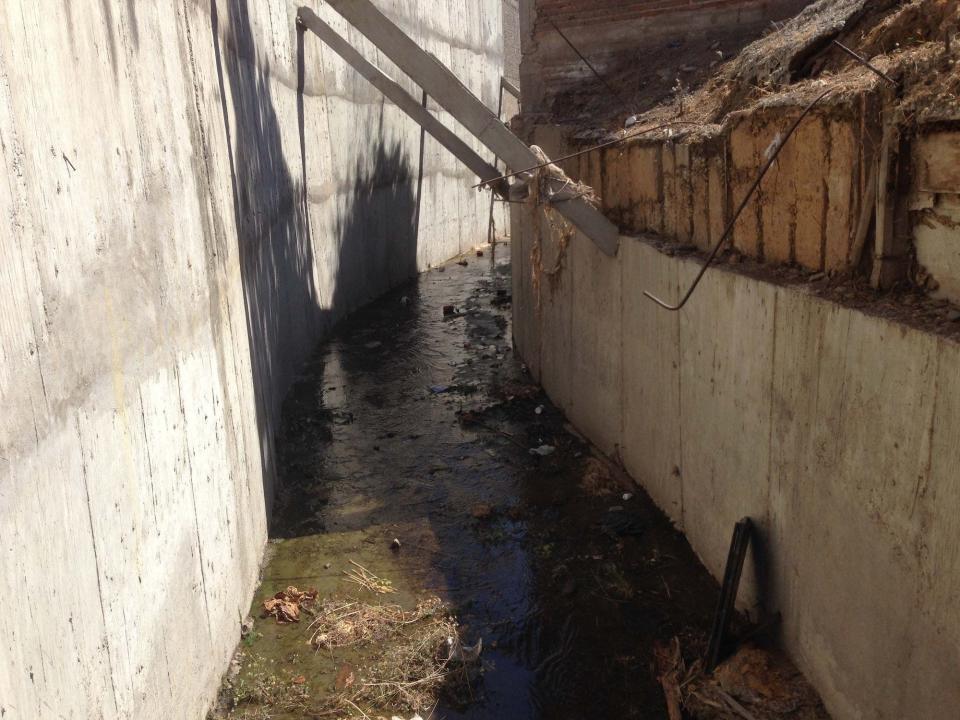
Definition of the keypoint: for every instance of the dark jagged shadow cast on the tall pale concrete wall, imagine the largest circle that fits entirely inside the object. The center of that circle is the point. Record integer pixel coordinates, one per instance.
(376, 234)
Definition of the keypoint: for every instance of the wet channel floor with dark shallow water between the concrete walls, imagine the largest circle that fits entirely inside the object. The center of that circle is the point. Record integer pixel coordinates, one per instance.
(417, 424)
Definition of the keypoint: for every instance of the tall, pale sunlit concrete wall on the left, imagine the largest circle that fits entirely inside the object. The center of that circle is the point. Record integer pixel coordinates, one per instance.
(194, 193)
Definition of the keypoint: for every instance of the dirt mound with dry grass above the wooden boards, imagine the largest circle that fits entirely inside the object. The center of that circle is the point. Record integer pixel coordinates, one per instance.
(914, 43)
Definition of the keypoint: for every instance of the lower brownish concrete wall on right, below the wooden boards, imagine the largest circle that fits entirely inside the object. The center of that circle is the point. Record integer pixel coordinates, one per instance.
(835, 431)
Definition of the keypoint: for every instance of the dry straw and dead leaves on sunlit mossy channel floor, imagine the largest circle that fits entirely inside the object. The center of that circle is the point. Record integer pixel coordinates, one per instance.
(410, 659)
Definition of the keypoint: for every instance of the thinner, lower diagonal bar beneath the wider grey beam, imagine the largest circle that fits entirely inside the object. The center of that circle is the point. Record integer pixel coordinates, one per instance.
(401, 98)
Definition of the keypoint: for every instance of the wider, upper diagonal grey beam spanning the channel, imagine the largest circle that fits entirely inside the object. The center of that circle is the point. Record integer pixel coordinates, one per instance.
(451, 94)
